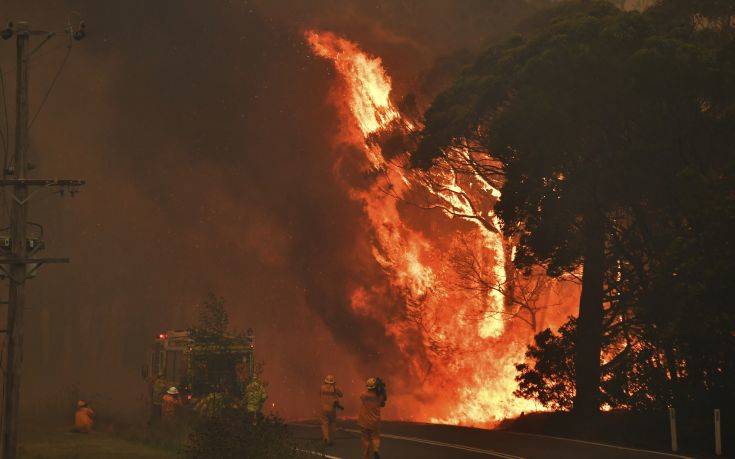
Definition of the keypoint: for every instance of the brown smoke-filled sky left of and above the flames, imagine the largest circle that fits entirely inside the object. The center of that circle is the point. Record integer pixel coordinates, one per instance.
(204, 131)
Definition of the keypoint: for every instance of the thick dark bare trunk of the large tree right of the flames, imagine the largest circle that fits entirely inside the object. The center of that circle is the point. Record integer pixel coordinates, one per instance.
(589, 324)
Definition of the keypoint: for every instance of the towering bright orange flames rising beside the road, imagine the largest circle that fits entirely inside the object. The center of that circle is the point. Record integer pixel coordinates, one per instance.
(465, 368)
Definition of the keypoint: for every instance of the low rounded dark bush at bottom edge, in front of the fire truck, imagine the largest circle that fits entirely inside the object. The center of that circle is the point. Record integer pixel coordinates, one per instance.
(232, 434)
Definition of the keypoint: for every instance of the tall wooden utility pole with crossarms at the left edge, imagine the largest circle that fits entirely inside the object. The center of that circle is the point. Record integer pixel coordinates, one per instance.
(19, 265)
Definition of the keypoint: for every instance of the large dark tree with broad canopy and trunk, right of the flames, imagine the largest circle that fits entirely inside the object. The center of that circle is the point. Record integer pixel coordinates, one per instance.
(594, 115)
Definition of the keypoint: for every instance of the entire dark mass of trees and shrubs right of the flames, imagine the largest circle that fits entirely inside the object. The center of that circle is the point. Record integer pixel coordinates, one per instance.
(615, 127)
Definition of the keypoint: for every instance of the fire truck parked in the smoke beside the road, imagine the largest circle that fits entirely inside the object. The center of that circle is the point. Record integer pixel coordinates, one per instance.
(195, 369)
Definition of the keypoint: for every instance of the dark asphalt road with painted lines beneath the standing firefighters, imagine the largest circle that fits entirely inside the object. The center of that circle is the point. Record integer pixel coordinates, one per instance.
(427, 441)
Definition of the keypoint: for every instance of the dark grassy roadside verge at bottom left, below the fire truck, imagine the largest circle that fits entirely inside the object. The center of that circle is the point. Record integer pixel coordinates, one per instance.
(45, 433)
